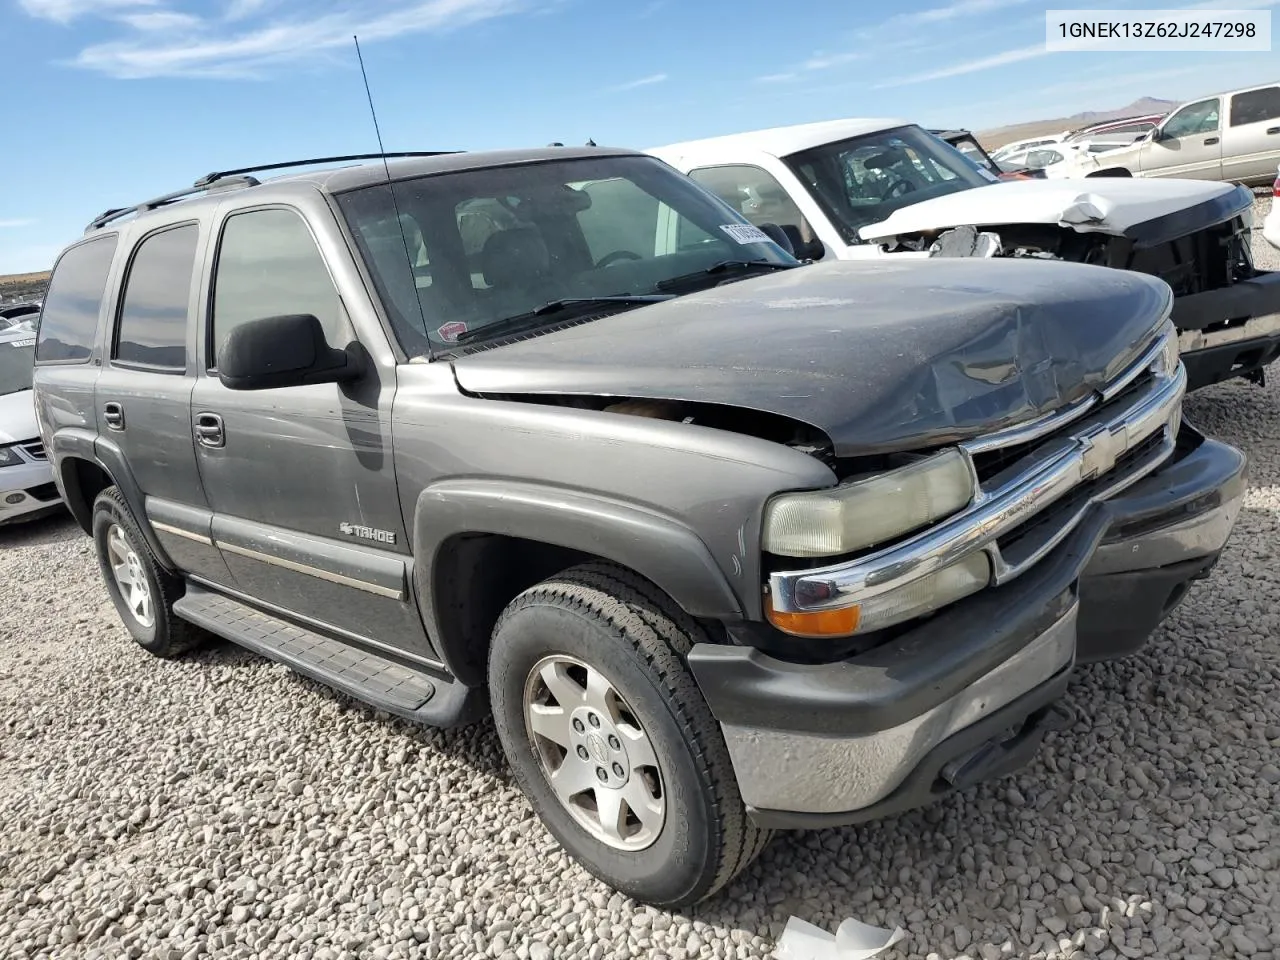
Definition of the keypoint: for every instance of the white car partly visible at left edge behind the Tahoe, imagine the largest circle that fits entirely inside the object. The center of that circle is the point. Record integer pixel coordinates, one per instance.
(26, 478)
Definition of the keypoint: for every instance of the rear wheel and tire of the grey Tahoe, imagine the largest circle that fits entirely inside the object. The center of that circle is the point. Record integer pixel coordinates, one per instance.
(147, 615)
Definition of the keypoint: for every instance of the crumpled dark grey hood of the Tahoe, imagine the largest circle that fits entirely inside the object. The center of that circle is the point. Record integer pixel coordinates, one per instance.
(885, 356)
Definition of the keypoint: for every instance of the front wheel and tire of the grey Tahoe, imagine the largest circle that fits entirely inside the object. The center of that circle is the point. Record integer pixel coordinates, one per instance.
(604, 621)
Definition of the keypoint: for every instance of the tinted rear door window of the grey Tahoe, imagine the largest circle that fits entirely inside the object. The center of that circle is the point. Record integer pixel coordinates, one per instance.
(153, 328)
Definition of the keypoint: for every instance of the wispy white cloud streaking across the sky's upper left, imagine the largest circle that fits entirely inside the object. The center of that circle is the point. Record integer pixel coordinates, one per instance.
(257, 35)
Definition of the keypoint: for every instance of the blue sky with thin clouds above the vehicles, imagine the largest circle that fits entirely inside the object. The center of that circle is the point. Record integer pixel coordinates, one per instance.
(118, 100)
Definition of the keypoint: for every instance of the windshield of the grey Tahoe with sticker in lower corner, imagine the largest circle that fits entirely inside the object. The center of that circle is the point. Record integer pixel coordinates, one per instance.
(500, 243)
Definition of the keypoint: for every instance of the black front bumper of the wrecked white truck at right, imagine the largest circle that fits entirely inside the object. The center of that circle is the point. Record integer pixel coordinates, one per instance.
(1229, 332)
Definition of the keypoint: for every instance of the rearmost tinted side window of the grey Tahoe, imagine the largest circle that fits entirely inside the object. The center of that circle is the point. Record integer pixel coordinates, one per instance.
(68, 322)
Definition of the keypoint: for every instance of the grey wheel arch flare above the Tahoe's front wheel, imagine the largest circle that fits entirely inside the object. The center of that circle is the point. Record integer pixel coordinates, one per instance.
(481, 543)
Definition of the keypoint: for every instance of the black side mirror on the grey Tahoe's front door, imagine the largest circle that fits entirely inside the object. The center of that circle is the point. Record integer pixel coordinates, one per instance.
(282, 351)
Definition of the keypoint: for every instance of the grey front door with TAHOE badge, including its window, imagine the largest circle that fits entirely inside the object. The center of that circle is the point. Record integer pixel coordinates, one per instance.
(300, 478)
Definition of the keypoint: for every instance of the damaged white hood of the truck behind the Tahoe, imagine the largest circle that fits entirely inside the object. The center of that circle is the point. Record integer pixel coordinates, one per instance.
(1144, 211)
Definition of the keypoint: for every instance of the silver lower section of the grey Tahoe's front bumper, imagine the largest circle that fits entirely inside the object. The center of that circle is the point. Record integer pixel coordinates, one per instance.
(780, 770)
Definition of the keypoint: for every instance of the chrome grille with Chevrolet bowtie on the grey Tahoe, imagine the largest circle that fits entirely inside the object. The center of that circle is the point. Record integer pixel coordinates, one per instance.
(1034, 484)
